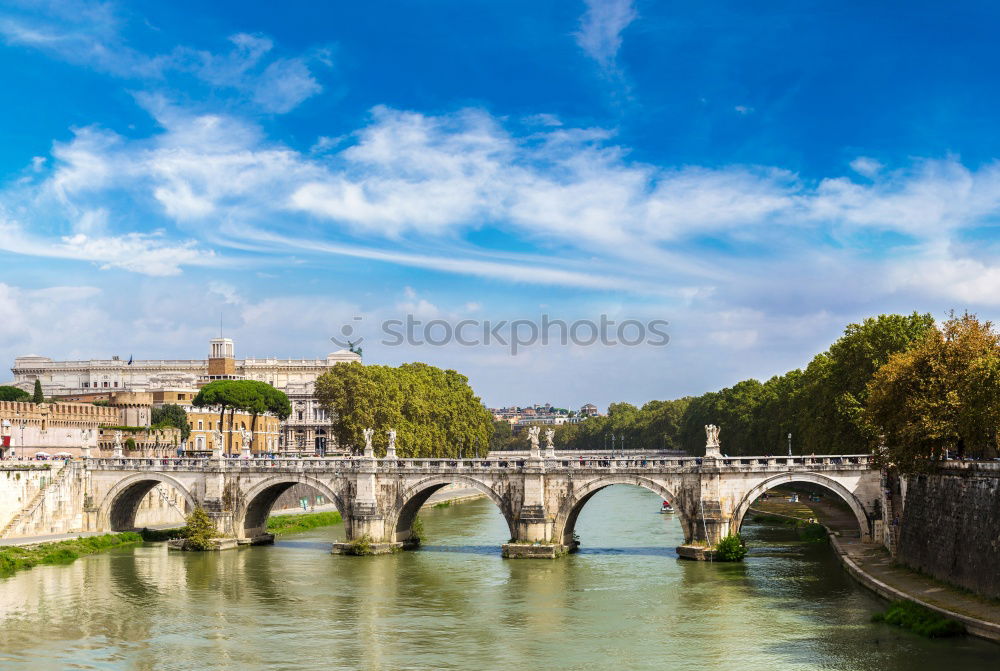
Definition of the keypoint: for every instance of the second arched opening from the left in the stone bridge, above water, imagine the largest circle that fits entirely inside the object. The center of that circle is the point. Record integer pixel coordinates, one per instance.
(300, 495)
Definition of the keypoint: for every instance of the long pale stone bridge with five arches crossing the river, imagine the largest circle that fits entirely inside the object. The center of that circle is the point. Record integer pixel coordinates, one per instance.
(539, 496)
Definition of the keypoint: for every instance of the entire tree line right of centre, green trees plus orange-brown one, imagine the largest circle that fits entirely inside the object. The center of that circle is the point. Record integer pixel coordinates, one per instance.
(898, 385)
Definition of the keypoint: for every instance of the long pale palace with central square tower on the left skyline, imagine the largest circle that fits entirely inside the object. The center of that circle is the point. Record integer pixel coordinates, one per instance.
(308, 429)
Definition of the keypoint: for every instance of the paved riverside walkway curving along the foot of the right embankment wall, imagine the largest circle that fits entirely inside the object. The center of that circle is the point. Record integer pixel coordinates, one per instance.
(872, 566)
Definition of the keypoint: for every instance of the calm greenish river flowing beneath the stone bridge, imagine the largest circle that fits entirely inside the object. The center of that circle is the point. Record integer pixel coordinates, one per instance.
(623, 602)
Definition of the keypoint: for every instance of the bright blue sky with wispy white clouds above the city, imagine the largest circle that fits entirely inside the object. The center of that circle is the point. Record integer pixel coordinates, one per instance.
(757, 174)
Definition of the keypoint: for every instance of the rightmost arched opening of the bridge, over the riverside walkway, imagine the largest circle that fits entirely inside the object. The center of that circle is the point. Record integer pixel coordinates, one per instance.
(804, 496)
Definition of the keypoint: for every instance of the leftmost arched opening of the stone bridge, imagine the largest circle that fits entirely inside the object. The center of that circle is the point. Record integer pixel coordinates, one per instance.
(161, 500)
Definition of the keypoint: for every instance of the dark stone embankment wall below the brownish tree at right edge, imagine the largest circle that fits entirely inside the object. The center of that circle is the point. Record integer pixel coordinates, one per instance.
(950, 526)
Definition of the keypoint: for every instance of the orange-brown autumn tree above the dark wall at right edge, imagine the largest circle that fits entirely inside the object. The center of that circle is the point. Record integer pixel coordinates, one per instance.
(942, 394)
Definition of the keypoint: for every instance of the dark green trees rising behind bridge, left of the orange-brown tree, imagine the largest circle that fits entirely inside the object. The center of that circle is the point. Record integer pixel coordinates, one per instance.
(821, 406)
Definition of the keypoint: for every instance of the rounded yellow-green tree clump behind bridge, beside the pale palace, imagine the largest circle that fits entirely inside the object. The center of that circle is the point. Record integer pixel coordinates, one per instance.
(434, 412)
